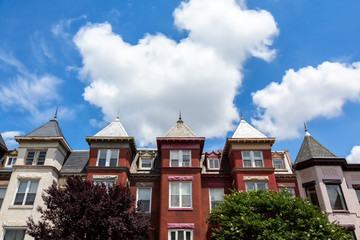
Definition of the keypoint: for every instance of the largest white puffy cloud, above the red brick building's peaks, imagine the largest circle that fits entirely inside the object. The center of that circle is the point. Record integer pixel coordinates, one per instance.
(151, 81)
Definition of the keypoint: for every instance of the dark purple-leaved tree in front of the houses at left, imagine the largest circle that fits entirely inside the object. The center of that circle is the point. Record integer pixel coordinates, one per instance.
(82, 210)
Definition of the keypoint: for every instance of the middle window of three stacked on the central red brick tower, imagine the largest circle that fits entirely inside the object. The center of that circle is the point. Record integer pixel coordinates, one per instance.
(180, 194)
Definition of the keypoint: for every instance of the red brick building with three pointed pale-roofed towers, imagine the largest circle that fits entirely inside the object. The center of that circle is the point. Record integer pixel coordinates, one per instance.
(177, 182)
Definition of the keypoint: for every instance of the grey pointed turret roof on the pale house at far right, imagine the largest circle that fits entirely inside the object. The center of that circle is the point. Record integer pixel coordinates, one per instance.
(310, 148)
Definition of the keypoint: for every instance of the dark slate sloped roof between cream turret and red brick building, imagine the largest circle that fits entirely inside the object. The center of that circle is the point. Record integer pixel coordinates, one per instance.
(76, 162)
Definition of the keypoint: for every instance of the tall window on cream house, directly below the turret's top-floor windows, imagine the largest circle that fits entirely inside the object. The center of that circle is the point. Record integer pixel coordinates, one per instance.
(26, 193)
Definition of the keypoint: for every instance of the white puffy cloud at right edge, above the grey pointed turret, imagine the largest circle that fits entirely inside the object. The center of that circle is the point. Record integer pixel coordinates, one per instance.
(306, 94)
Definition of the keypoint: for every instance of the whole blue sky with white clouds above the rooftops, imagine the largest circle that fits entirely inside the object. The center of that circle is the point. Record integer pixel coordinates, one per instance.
(281, 63)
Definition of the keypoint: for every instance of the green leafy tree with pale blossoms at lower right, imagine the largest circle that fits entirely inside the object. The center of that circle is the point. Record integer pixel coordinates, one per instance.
(270, 215)
